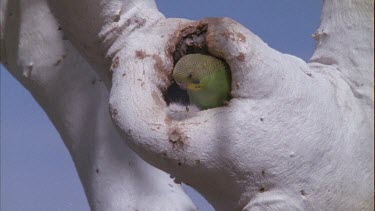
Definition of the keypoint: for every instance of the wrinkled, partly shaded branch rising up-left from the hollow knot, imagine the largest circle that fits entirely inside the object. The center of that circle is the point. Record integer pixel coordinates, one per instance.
(93, 26)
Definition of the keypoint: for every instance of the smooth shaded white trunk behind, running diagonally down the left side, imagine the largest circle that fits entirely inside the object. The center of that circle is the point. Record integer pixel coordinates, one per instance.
(76, 101)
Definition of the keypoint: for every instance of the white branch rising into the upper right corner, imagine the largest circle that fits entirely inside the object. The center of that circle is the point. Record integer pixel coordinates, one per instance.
(345, 41)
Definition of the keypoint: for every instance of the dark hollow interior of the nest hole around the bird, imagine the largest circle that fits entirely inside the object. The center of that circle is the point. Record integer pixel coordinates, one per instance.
(193, 41)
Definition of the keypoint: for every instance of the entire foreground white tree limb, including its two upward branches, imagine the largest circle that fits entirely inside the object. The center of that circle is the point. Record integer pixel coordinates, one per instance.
(295, 136)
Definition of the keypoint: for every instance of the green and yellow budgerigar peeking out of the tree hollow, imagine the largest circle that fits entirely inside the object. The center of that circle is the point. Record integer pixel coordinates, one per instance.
(206, 79)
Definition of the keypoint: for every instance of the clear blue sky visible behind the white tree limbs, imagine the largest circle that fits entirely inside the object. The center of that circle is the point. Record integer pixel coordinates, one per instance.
(37, 172)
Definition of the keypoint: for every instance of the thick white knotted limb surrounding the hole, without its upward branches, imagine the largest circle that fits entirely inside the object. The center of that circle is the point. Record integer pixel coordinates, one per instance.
(277, 143)
